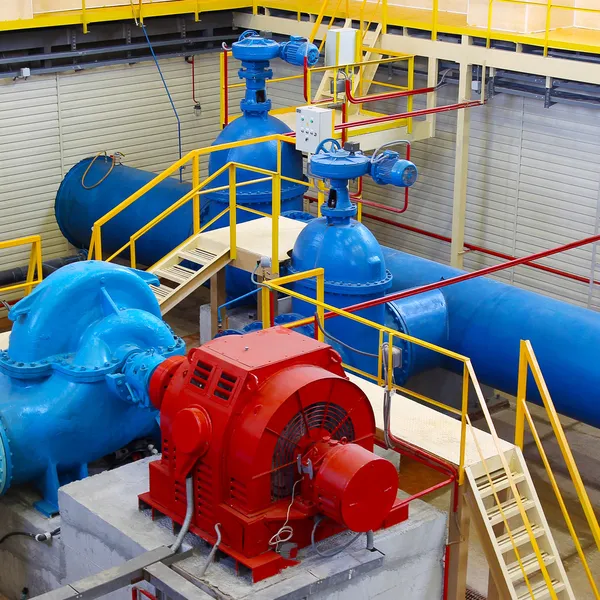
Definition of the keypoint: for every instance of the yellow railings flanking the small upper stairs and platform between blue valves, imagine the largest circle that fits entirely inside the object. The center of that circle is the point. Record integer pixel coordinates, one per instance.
(200, 188)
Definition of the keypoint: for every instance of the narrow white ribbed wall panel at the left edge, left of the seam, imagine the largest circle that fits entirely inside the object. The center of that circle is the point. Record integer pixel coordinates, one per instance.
(31, 167)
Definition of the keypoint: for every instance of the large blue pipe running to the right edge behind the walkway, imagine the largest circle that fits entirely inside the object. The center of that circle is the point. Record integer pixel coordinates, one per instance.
(485, 320)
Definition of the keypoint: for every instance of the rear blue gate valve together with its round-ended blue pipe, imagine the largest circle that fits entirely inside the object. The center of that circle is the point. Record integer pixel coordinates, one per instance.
(78, 207)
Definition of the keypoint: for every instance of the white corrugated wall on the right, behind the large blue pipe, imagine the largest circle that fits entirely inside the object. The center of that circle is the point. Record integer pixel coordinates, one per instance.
(533, 183)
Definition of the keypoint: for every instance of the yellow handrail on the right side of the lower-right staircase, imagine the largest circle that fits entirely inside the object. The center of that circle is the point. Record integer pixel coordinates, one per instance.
(527, 362)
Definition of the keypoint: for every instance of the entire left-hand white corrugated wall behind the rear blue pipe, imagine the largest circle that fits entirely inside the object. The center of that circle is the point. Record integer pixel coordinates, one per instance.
(49, 123)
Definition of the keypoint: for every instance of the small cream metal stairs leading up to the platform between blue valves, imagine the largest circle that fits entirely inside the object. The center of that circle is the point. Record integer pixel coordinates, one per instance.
(184, 270)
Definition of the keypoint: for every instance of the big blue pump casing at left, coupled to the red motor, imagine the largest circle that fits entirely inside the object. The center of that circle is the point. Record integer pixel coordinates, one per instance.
(73, 382)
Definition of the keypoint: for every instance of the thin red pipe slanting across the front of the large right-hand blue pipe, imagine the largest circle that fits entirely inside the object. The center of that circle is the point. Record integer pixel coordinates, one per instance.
(466, 276)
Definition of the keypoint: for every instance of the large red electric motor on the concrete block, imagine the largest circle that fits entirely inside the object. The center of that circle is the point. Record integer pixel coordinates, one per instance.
(268, 424)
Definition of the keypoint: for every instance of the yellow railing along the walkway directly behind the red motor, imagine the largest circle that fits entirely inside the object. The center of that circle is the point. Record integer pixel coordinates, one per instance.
(277, 285)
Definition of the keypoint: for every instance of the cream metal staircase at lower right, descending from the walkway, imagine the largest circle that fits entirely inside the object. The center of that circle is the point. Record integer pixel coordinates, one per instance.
(498, 543)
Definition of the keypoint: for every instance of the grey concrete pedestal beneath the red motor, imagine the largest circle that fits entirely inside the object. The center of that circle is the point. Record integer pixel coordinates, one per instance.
(102, 527)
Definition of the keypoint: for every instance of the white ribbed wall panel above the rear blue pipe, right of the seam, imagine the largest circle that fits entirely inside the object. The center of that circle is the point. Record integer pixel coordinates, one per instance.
(126, 108)
